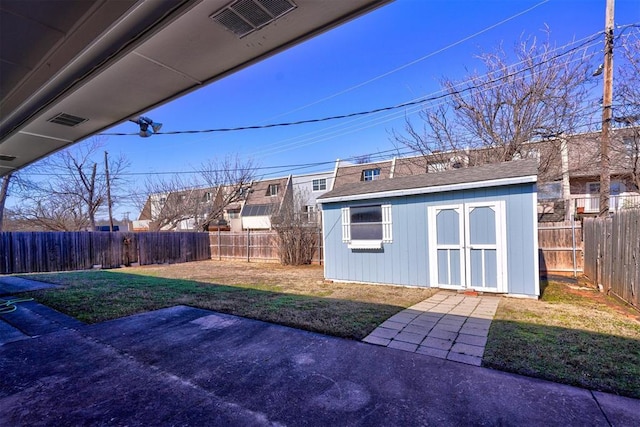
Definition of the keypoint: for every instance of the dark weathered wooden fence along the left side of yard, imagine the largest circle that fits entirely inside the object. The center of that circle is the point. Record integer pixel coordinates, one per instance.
(30, 252)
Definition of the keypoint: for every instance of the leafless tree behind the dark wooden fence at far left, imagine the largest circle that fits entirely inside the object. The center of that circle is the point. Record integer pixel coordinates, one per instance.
(67, 189)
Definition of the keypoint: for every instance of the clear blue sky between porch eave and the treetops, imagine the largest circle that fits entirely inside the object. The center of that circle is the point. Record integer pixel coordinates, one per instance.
(392, 55)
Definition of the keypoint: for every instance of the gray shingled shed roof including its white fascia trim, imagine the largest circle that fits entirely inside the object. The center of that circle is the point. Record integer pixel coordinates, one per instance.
(514, 172)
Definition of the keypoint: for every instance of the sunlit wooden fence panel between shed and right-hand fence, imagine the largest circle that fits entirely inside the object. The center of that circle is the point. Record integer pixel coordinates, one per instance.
(560, 247)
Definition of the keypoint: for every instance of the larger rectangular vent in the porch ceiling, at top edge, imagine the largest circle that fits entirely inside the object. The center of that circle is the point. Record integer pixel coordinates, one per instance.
(246, 16)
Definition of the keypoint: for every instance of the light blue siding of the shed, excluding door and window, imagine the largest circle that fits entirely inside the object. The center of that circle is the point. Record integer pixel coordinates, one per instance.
(405, 261)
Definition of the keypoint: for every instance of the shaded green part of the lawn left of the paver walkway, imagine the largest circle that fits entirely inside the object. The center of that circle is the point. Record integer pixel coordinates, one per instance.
(102, 295)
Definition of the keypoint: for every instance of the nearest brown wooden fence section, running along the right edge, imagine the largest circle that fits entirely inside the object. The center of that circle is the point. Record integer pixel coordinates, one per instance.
(612, 254)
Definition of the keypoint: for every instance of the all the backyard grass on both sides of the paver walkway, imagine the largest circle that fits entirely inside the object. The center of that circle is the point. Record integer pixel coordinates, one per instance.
(573, 335)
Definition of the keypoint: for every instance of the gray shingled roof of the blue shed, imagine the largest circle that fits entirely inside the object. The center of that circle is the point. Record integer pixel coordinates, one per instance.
(477, 174)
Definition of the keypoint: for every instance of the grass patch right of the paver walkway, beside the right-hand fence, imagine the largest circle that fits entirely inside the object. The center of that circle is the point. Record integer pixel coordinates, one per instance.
(568, 338)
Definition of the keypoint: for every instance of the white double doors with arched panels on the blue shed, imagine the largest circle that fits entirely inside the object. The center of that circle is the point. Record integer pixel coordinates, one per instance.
(467, 247)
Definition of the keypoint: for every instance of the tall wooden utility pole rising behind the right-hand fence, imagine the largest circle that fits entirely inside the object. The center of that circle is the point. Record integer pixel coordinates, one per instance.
(607, 112)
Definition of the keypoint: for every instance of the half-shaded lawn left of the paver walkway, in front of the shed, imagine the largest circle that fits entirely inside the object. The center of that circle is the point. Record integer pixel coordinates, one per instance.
(292, 296)
